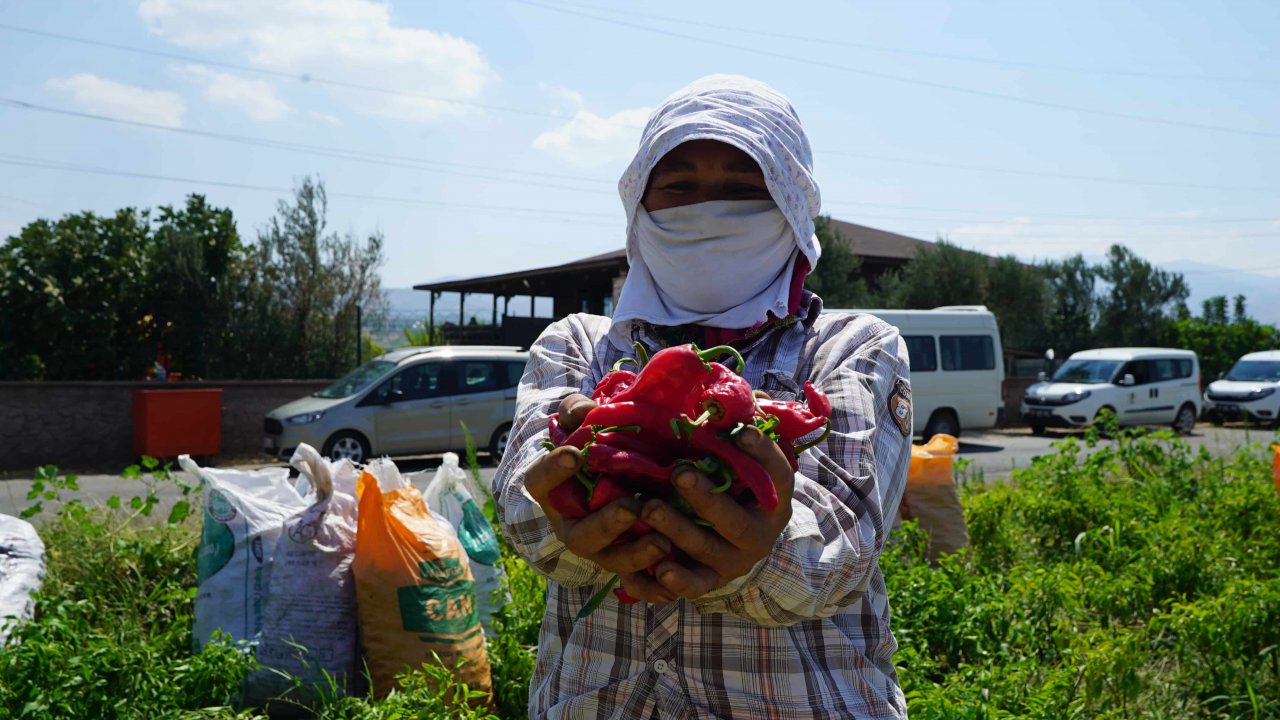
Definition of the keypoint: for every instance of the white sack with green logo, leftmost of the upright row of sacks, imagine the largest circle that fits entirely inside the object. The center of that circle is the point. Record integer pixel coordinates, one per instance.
(244, 517)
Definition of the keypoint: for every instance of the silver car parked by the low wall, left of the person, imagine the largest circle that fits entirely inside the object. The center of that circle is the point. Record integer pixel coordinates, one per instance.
(409, 402)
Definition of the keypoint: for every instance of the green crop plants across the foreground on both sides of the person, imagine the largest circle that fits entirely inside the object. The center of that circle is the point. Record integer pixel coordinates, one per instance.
(1141, 580)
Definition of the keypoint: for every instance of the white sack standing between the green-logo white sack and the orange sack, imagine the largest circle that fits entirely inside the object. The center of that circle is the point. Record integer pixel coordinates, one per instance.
(309, 618)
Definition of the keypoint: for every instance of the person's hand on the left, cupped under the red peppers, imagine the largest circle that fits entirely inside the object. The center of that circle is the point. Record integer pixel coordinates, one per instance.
(595, 536)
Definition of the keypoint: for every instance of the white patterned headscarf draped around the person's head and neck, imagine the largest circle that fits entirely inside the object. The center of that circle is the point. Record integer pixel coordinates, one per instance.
(755, 119)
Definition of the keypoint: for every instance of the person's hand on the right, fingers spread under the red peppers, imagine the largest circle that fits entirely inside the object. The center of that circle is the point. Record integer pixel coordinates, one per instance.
(740, 536)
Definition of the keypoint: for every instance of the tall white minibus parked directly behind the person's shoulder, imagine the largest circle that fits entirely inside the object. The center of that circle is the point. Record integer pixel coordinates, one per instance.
(958, 367)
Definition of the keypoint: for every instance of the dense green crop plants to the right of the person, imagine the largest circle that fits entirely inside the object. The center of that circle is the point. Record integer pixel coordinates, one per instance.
(1137, 581)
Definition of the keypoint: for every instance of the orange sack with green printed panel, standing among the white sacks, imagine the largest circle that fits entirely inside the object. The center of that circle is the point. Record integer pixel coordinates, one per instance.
(415, 595)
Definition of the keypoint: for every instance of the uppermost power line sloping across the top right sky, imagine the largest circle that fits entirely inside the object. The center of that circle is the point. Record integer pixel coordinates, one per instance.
(912, 81)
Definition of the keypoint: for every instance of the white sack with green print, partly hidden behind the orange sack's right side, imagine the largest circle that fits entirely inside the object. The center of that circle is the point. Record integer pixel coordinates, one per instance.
(455, 495)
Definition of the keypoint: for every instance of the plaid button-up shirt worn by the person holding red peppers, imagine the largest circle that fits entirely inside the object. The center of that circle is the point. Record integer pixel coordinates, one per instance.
(807, 634)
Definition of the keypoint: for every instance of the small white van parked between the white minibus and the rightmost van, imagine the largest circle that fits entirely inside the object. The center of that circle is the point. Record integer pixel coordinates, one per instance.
(1144, 386)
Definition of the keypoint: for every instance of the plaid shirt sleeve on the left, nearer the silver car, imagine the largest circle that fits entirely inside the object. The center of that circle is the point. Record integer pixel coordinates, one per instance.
(560, 364)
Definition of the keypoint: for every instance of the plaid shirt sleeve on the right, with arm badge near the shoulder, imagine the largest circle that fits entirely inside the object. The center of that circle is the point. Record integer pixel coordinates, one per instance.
(847, 487)
